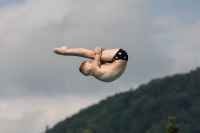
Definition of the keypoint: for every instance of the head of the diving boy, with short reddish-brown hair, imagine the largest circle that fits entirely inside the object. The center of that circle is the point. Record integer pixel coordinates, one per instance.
(85, 68)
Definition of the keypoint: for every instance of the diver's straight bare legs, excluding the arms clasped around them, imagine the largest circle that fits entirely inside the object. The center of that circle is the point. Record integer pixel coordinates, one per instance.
(107, 55)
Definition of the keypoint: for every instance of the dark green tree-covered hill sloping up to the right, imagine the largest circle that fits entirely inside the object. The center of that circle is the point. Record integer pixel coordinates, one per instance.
(144, 110)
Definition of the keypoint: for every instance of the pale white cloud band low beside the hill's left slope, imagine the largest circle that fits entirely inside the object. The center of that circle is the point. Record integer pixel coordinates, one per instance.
(34, 114)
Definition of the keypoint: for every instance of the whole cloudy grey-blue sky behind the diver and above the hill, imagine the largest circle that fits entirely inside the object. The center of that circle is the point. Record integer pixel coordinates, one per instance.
(39, 88)
